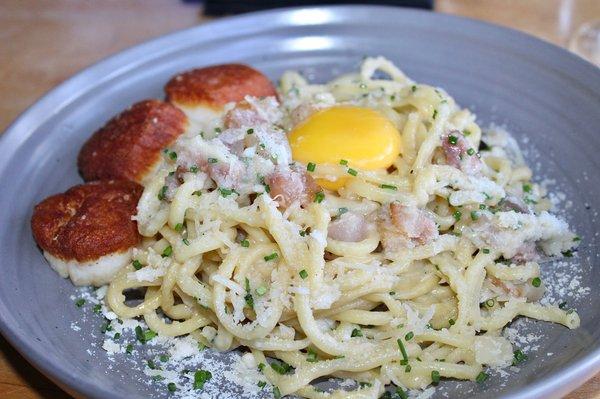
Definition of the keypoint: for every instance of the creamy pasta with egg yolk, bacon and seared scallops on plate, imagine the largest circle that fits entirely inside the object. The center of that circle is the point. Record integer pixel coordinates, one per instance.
(366, 228)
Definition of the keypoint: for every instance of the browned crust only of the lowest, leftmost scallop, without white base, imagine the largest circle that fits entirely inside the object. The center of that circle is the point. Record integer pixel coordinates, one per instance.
(88, 221)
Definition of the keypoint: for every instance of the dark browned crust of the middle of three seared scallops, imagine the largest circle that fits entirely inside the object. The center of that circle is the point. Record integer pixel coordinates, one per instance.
(129, 145)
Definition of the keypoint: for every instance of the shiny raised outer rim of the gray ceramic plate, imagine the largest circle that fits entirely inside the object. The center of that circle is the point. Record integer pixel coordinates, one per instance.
(65, 93)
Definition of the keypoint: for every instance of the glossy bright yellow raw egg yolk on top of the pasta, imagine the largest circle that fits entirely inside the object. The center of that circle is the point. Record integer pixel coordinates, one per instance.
(362, 136)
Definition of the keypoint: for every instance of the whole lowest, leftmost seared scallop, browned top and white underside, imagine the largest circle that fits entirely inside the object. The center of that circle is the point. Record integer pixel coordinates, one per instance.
(87, 233)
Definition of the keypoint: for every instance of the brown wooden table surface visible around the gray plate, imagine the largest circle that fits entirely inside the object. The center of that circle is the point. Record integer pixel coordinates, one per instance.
(44, 42)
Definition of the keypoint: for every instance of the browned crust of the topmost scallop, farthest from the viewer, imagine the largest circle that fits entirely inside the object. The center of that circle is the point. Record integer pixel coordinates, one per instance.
(218, 85)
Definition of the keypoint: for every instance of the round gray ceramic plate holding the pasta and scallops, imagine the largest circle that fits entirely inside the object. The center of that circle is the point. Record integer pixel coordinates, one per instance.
(538, 91)
